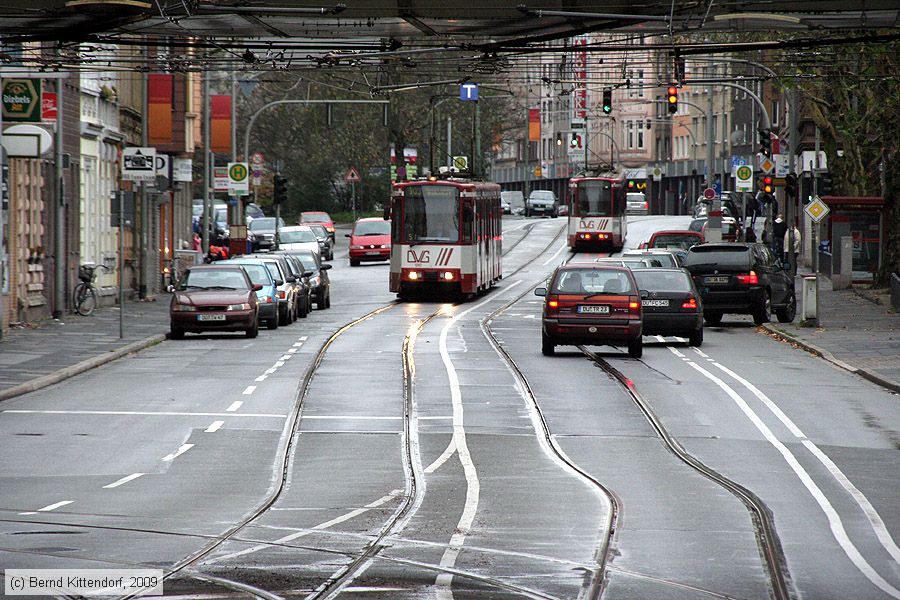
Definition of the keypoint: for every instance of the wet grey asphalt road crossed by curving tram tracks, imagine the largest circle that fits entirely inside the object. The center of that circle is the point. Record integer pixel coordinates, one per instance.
(159, 454)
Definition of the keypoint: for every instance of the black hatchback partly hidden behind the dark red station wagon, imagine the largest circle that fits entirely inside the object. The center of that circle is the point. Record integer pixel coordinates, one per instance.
(671, 305)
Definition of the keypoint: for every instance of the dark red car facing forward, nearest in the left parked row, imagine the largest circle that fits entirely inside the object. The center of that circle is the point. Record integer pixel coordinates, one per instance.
(214, 298)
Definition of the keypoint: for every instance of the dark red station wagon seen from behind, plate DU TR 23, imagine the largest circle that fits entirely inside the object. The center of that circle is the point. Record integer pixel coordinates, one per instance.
(591, 305)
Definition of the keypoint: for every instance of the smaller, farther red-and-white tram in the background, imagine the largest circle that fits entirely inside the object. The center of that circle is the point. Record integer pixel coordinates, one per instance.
(597, 212)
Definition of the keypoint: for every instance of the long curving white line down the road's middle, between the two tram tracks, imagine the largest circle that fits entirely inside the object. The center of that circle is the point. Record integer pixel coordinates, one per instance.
(473, 486)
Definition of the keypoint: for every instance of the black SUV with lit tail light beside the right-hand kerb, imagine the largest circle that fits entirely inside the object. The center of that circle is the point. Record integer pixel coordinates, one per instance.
(741, 278)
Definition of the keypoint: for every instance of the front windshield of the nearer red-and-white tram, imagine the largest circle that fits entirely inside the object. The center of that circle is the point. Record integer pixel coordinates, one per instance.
(431, 214)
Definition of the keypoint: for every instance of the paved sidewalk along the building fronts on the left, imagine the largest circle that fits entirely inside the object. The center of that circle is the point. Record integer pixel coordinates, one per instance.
(43, 353)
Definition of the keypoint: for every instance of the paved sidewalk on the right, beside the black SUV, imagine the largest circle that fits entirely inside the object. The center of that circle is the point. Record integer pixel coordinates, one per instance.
(857, 331)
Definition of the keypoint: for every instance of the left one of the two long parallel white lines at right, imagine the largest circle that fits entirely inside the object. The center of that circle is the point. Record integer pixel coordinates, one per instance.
(834, 519)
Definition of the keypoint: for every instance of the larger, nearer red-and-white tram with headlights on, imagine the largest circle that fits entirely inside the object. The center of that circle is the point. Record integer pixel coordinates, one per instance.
(446, 237)
